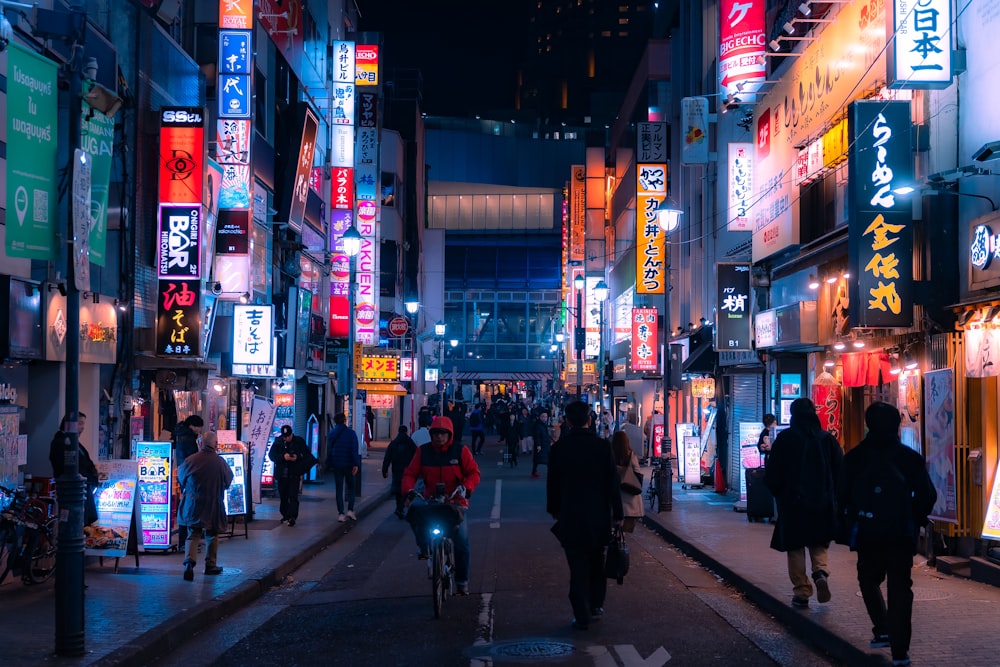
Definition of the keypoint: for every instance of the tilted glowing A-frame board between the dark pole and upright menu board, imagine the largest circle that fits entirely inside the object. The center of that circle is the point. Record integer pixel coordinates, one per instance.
(115, 498)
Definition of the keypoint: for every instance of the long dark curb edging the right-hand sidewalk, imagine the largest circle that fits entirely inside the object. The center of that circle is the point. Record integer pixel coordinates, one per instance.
(803, 627)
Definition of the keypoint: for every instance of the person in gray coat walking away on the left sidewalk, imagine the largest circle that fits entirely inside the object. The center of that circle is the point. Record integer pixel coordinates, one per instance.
(203, 478)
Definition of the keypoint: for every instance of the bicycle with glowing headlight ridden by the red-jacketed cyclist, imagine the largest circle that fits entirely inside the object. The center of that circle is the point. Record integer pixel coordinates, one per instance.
(437, 519)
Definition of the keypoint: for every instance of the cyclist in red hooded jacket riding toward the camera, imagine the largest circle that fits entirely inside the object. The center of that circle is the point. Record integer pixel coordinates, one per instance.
(445, 461)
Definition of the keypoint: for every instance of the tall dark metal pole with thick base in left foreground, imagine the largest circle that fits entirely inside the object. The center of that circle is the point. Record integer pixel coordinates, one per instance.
(71, 488)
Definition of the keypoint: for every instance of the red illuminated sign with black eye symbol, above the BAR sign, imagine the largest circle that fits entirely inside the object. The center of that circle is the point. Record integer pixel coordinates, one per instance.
(182, 155)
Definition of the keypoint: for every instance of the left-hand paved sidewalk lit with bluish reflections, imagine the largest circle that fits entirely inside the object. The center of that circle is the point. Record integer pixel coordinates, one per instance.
(140, 613)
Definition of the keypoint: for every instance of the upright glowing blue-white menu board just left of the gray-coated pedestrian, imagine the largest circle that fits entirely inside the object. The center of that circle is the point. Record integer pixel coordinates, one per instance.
(154, 461)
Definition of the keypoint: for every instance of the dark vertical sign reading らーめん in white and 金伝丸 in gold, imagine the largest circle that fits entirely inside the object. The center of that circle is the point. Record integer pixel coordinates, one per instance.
(880, 230)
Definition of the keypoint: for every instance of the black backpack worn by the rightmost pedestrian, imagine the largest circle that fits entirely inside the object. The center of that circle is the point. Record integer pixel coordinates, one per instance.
(881, 502)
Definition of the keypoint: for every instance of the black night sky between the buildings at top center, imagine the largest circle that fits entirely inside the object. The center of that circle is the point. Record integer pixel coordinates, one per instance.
(467, 51)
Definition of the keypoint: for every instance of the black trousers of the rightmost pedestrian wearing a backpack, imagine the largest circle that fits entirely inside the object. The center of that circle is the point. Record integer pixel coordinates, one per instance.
(892, 564)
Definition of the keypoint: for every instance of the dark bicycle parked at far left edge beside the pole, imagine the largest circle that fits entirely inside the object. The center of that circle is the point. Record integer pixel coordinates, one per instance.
(27, 537)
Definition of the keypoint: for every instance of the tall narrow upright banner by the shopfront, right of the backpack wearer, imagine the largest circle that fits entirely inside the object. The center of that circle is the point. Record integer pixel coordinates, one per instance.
(939, 401)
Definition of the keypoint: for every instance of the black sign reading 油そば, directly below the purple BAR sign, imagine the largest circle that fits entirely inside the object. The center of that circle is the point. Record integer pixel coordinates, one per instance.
(178, 318)
